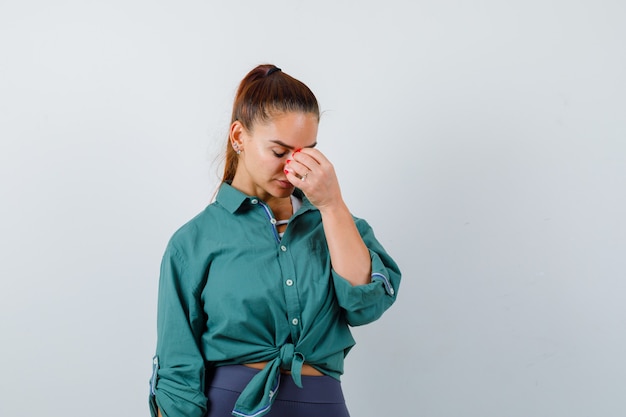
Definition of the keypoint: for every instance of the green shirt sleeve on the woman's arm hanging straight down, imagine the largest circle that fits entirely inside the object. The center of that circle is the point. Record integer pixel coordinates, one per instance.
(177, 383)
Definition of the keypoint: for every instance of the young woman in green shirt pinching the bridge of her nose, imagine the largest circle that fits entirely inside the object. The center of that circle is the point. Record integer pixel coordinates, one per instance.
(258, 292)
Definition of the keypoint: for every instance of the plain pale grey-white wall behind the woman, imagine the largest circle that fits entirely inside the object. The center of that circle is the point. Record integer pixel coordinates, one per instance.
(484, 140)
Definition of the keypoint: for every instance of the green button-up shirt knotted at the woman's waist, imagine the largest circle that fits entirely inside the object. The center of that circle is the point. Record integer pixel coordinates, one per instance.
(233, 291)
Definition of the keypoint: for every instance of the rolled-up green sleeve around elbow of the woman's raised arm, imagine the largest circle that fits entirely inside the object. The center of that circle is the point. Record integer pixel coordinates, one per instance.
(366, 303)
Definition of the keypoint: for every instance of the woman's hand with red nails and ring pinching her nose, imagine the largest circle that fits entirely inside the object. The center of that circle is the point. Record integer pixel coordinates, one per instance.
(309, 170)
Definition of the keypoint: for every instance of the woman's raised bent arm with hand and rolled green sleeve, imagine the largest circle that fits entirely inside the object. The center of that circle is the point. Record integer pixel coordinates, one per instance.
(364, 276)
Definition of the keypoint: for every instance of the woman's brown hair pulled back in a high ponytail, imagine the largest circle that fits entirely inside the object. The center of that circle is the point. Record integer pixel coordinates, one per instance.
(263, 93)
